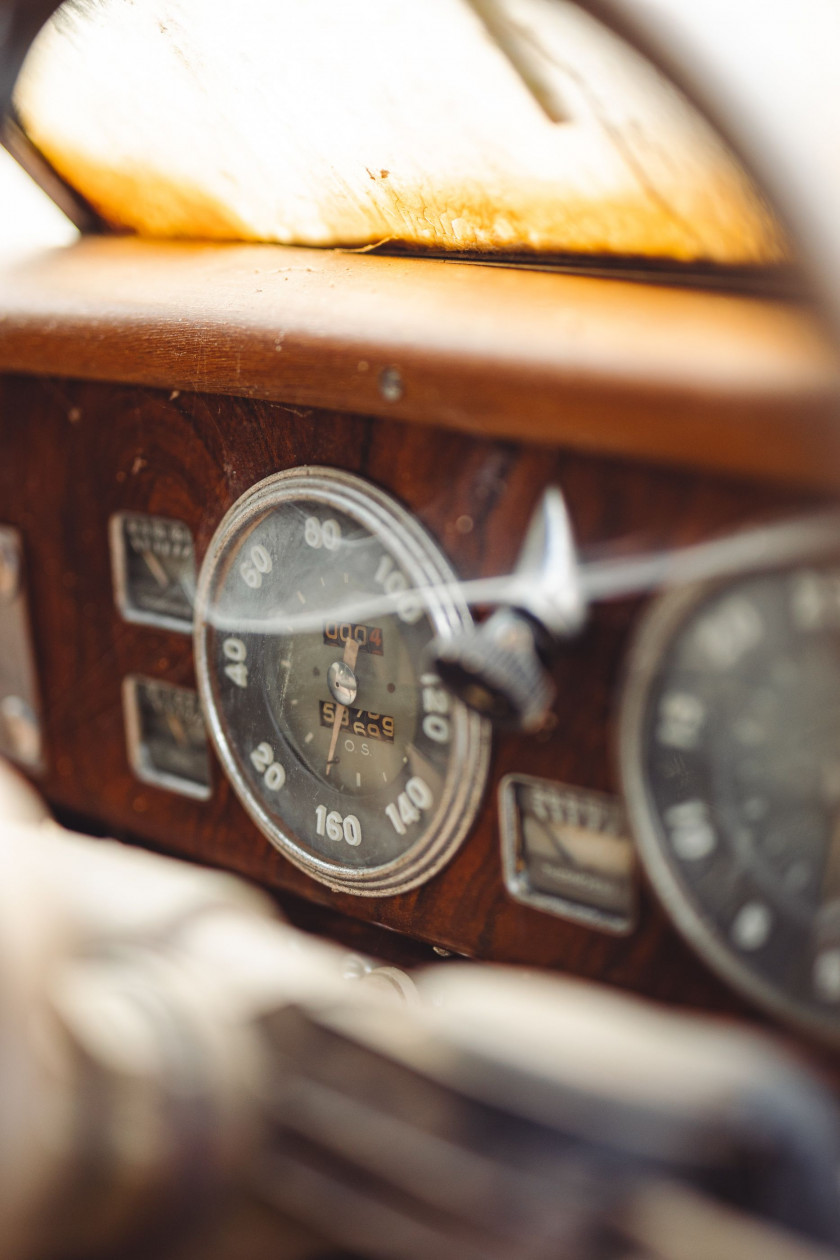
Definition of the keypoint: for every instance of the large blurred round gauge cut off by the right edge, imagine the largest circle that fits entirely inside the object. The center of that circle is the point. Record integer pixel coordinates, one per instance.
(731, 752)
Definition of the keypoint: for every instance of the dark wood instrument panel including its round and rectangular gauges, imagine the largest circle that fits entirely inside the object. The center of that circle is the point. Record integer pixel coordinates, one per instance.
(542, 849)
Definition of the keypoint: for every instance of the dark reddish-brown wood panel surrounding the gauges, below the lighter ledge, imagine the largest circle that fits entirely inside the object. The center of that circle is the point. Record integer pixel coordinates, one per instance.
(84, 452)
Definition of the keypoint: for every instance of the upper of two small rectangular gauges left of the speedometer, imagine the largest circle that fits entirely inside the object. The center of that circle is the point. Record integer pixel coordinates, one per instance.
(154, 570)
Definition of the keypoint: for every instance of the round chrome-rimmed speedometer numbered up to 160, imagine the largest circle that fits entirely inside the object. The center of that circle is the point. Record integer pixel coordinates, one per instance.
(317, 603)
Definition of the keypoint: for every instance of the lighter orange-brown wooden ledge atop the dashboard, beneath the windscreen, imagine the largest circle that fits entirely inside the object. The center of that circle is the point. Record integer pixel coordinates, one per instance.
(681, 377)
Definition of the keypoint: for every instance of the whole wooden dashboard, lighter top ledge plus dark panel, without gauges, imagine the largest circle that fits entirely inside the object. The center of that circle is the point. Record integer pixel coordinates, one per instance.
(168, 380)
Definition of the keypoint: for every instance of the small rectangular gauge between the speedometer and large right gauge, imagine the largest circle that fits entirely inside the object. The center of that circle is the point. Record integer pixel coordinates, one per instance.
(566, 851)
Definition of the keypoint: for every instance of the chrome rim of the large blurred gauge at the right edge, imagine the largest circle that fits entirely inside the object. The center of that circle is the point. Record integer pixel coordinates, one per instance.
(671, 617)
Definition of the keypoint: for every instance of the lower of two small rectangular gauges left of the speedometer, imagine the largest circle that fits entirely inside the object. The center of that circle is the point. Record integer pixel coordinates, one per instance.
(166, 736)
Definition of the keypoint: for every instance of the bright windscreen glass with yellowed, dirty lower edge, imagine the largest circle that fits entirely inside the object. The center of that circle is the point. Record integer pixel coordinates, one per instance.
(351, 124)
